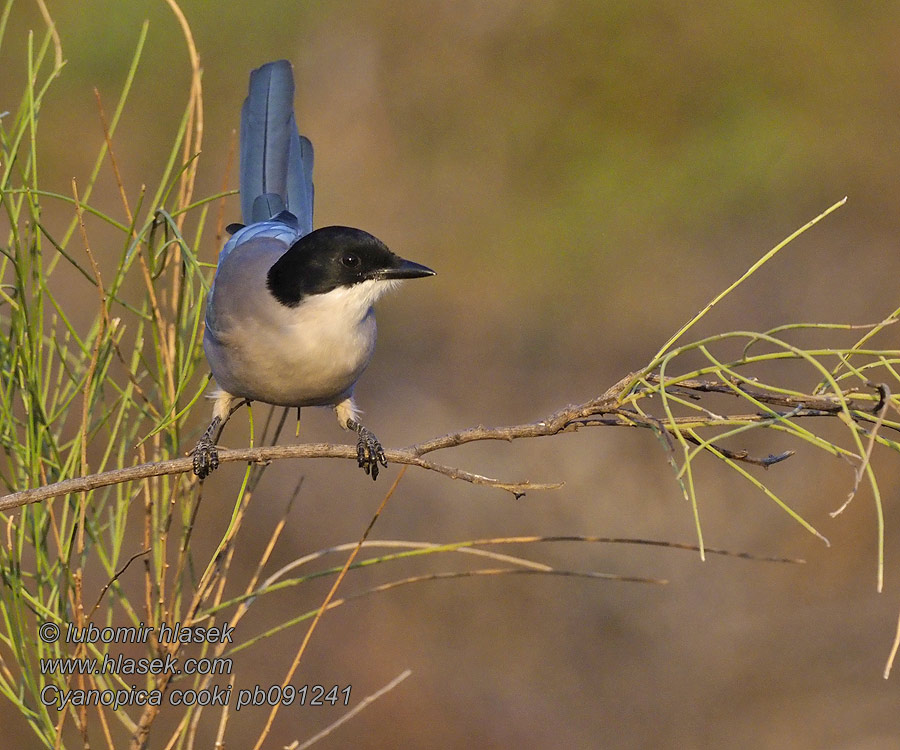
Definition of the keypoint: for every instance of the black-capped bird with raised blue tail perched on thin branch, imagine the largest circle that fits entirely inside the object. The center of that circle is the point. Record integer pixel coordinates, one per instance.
(290, 315)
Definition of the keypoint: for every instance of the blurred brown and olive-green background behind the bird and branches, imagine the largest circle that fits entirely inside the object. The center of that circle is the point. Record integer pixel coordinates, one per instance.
(584, 176)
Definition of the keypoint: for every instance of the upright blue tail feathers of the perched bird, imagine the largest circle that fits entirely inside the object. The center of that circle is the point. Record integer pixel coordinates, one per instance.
(276, 161)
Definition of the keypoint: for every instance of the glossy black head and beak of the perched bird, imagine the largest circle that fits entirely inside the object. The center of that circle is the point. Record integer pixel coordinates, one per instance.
(333, 257)
